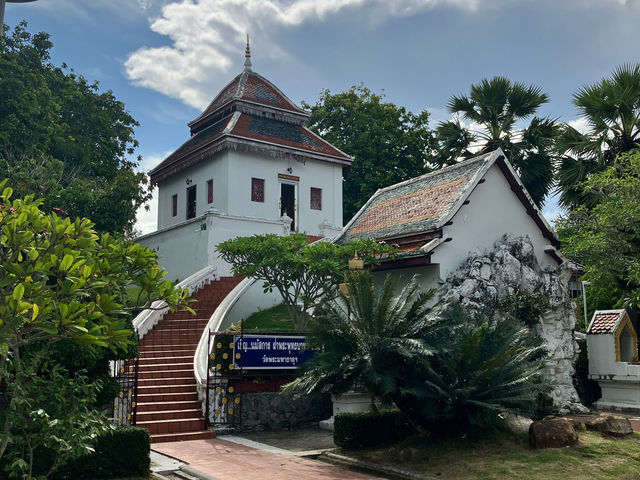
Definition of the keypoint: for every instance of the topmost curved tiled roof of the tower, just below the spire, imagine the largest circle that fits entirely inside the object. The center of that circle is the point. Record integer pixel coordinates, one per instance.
(254, 88)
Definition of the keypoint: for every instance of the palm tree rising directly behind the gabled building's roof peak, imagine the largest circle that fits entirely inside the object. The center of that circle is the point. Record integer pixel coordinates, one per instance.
(495, 107)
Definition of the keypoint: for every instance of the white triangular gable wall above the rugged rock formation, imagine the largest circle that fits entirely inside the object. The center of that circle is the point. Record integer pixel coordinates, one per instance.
(493, 211)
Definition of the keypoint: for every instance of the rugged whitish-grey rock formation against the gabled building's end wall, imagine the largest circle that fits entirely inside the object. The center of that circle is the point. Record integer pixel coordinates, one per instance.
(486, 278)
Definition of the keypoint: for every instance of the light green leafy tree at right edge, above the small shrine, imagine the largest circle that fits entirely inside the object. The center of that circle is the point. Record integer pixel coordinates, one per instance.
(606, 238)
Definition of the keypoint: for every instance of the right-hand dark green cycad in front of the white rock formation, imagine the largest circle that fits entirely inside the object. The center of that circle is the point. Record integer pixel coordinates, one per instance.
(484, 367)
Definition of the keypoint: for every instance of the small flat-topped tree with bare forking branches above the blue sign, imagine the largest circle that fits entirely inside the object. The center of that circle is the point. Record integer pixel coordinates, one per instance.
(302, 273)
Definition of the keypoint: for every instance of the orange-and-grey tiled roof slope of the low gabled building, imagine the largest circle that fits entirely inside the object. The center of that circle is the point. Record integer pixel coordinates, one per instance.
(417, 205)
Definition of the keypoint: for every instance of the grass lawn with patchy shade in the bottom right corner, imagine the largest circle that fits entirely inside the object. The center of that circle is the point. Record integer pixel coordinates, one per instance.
(504, 456)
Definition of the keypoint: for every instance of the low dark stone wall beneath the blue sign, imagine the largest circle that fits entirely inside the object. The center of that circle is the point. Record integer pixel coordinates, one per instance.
(270, 410)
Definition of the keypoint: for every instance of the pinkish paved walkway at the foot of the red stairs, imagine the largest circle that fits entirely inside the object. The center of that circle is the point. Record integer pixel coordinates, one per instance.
(230, 461)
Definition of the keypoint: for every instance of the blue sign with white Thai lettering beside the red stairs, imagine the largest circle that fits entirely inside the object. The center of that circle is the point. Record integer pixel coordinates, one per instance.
(262, 352)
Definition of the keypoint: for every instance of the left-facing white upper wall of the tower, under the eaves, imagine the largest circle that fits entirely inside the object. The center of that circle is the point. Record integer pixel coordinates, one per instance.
(215, 168)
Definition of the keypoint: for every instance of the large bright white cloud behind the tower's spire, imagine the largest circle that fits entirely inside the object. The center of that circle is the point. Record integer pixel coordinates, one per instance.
(207, 34)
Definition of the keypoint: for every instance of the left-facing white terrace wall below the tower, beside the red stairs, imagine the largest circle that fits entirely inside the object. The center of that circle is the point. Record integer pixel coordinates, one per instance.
(182, 249)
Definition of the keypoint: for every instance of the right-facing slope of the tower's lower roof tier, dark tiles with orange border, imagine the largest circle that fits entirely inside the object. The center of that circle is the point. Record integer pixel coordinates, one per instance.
(283, 133)
